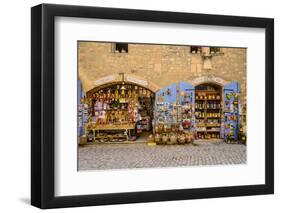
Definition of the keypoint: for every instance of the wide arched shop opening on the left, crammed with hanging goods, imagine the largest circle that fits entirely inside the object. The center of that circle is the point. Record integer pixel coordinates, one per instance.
(120, 112)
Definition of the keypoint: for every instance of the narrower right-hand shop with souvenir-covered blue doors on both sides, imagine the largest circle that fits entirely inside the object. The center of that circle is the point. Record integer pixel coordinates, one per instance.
(208, 111)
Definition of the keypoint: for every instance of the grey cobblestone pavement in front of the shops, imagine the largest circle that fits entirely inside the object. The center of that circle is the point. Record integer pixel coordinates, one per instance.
(120, 156)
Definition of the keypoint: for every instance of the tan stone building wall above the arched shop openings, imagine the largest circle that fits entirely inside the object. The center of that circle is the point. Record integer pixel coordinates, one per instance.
(160, 65)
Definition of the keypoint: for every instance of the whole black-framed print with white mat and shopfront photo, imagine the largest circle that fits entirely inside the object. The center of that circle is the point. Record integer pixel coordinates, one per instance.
(136, 106)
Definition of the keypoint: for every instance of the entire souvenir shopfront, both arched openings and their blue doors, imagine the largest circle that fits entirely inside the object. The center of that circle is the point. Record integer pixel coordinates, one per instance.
(176, 114)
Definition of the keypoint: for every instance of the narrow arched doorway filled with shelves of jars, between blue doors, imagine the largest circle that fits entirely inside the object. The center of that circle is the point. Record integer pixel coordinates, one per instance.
(208, 111)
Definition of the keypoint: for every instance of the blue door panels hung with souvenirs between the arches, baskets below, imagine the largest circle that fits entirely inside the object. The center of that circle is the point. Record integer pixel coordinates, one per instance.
(174, 114)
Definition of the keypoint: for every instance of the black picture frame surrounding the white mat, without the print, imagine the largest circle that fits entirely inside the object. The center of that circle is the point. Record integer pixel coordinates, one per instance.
(43, 102)
